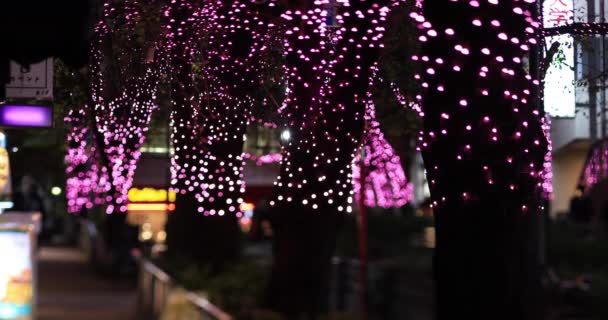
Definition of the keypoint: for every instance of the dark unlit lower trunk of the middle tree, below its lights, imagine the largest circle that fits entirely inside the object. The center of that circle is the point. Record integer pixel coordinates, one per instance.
(304, 242)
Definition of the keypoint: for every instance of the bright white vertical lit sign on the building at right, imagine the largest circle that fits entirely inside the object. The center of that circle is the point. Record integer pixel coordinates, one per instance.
(559, 81)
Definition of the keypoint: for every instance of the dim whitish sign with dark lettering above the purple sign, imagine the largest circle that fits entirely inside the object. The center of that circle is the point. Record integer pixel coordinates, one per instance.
(33, 81)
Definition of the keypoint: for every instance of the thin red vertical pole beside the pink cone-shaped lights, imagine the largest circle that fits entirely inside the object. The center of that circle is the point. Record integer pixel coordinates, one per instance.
(362, 224)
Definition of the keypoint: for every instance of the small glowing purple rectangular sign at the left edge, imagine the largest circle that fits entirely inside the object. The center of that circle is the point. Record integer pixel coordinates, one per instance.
(26, 116)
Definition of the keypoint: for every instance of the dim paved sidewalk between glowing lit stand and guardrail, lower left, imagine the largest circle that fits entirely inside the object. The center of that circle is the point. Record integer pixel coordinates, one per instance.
(69, 289)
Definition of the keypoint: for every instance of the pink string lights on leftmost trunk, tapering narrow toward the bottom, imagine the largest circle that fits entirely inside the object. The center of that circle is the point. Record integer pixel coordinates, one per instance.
(122, 107)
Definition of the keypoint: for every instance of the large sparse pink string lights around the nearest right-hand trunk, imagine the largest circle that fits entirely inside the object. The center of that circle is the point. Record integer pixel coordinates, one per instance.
(487, 129)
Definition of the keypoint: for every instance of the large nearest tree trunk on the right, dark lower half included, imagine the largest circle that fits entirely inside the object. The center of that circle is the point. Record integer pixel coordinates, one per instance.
(483, 148)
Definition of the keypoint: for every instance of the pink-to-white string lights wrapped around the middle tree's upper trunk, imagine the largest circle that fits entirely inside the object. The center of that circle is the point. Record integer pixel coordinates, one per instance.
(328, 72)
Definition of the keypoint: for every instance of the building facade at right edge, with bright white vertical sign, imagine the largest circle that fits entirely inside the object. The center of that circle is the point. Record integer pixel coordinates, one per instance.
(575, 127)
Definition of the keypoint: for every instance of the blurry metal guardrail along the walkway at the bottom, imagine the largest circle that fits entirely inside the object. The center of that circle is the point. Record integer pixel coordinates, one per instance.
(153, 291)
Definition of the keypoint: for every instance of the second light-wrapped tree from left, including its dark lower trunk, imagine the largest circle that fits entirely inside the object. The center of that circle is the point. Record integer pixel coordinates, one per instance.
(215, 49)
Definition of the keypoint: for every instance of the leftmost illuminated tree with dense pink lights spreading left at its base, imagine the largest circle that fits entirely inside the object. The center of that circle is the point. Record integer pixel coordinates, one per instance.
(105, 141)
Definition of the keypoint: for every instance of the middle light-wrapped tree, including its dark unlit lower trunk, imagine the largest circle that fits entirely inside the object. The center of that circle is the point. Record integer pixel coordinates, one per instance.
(328, 74)
